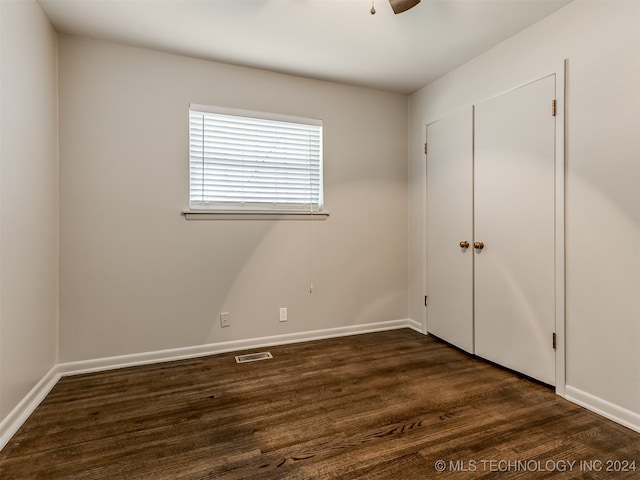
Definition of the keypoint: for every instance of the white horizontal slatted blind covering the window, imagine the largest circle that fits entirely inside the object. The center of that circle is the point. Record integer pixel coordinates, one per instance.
(254, 161)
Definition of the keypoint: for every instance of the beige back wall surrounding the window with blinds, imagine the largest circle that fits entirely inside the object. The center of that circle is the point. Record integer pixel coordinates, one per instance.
(137, 277)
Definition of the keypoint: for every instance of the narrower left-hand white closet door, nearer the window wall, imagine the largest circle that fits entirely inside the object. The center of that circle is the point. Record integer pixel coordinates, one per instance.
(449, 222)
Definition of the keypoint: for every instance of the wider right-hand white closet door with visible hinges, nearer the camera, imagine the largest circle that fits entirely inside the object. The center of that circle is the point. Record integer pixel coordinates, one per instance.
(514, 218)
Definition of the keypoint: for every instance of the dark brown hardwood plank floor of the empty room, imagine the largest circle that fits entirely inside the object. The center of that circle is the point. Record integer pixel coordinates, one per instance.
(387, 405)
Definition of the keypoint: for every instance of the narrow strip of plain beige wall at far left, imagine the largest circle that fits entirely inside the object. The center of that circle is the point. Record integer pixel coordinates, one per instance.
(28, 200)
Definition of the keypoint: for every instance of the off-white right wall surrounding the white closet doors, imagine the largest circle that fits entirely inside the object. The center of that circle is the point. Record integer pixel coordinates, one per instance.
(601, 40)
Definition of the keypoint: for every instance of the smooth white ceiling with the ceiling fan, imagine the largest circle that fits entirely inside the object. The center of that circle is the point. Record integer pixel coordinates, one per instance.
(337, 40)
